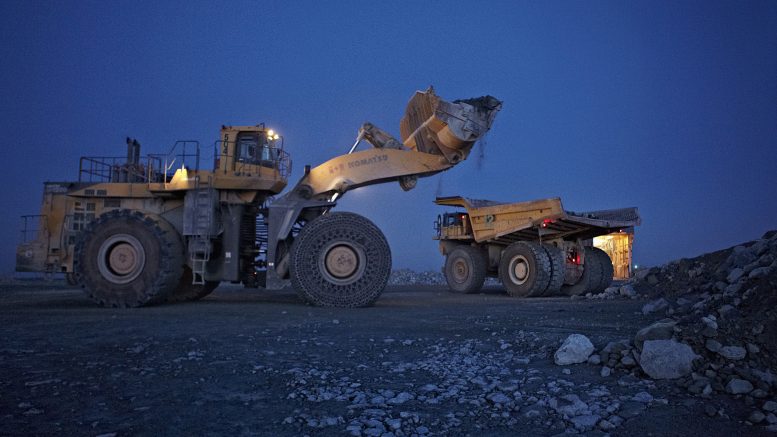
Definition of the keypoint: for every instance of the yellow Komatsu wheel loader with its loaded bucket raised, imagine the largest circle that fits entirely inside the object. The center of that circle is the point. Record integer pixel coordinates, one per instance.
(138, 231)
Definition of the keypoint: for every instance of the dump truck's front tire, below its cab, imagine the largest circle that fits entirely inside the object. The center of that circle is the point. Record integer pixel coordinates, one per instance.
(465, 269)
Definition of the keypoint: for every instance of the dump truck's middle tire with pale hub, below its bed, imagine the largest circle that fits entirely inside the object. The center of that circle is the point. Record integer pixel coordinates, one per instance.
(524, 269)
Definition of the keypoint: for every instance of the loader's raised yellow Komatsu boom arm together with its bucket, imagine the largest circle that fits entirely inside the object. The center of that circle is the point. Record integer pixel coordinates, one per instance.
(436, 134)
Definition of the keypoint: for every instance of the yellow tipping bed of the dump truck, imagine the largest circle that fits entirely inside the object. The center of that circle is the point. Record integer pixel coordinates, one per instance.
(506, 223)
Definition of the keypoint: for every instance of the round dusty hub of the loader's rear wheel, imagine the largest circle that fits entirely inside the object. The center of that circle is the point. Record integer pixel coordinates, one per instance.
(121, 258)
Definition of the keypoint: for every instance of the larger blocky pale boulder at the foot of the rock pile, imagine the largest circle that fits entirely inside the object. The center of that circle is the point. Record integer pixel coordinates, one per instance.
(666, 359)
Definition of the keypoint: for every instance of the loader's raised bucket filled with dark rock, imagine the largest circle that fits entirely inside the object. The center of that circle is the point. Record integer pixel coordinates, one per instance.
(433, 125)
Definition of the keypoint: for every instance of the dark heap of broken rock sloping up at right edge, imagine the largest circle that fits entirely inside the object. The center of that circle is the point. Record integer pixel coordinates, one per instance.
(723, 307)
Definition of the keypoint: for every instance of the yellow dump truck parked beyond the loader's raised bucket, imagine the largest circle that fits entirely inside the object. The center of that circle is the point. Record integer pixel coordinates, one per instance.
(535, 248)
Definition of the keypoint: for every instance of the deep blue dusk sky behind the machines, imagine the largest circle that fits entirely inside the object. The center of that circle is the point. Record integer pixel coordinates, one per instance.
(670, 106)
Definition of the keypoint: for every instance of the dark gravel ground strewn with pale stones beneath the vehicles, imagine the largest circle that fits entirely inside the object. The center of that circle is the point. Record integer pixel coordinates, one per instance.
(421, 362)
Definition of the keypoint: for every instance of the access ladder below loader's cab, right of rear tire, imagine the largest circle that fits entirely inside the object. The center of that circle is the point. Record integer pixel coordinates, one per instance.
(200, 214)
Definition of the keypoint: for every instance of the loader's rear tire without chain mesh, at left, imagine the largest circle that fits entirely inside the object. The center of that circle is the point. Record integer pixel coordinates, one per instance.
(128, 259)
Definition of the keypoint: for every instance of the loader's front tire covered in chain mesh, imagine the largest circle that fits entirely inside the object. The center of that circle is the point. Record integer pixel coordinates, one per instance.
(340, 259)
